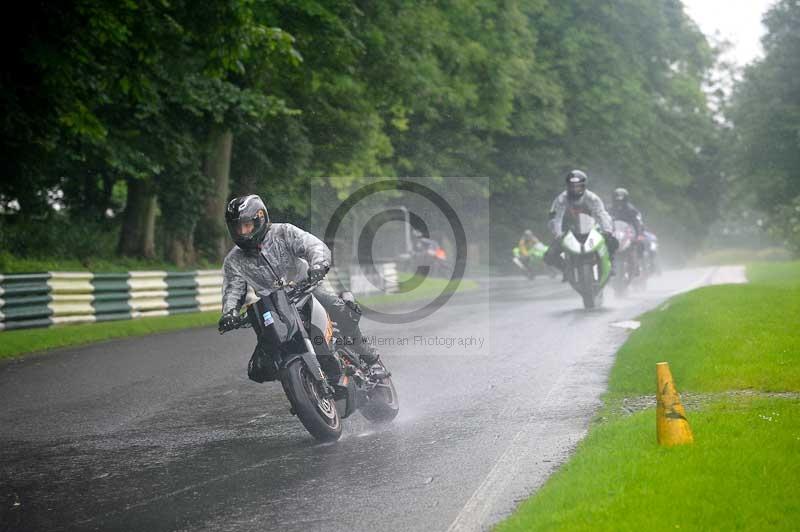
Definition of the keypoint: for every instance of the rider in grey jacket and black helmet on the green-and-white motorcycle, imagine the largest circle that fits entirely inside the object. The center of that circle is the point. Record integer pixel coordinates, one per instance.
(577, 199)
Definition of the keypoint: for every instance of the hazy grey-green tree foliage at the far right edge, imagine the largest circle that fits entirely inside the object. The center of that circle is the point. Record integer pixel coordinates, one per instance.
(765, 111)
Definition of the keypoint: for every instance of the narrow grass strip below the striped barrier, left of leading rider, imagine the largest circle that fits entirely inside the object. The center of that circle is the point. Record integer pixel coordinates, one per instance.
(16, 343)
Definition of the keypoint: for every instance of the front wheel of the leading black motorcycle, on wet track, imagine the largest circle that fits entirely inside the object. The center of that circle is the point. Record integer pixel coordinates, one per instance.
(316, 411)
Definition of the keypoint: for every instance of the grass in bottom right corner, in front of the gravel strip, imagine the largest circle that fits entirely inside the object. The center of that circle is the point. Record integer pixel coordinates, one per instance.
(741, 474)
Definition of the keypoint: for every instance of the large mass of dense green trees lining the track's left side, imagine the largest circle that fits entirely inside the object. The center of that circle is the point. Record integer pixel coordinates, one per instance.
(125, 109)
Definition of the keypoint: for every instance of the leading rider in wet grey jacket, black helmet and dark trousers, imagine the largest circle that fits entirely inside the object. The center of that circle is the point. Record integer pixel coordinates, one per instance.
(266, 252)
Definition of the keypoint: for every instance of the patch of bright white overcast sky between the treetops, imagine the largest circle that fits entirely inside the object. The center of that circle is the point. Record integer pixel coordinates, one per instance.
(738, 21)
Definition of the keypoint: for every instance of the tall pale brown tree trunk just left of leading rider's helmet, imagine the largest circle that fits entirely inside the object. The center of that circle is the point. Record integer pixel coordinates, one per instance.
(217, 167)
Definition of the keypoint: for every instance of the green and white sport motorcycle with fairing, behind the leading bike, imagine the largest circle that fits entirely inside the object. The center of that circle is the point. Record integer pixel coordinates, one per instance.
(587, 263)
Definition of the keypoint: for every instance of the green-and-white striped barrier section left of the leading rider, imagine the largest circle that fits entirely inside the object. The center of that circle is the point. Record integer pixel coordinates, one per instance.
(44, 299)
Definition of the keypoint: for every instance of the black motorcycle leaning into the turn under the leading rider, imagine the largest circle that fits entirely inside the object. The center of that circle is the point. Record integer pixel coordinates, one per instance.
(323, 378)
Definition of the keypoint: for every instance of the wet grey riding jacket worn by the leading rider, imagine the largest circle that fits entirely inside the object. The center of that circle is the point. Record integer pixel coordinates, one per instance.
(280, 256)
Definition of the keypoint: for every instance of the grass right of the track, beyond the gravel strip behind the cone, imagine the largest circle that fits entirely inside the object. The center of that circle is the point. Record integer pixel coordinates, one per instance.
(718, 338)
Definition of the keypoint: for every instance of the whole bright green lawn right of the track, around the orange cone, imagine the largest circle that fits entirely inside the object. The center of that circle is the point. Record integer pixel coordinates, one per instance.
(742, 471)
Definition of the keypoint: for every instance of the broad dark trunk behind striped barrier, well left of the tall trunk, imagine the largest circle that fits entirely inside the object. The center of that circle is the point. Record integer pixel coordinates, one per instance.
(137, 238)
